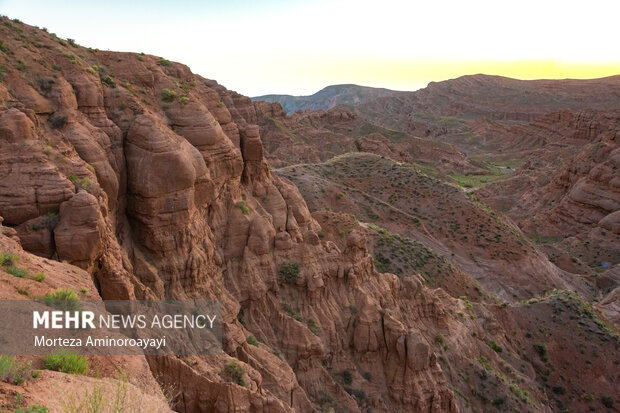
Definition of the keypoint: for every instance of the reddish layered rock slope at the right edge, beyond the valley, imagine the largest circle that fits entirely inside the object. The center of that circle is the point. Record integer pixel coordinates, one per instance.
(579, 202)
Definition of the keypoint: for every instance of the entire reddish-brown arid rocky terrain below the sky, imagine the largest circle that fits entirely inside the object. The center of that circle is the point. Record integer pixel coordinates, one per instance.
(453, 249)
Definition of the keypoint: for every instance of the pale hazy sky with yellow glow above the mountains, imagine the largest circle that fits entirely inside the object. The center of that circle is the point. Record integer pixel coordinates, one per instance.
(298, 47)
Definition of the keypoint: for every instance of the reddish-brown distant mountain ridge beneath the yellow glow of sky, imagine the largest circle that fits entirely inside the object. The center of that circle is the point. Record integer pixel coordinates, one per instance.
(493, 97)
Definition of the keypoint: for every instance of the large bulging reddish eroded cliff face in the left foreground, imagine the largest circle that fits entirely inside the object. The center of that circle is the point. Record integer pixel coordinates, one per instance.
(177, 201)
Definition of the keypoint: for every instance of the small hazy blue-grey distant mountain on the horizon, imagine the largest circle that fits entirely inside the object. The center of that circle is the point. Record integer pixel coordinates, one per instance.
(329, 97)
